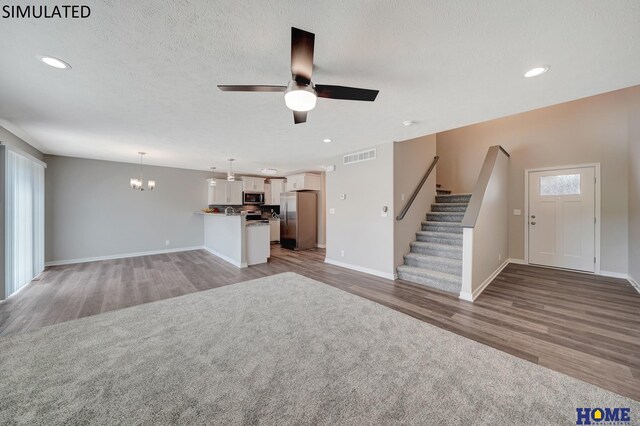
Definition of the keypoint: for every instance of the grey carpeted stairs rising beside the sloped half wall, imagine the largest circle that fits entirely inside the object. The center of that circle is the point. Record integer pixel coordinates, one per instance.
(435, 259)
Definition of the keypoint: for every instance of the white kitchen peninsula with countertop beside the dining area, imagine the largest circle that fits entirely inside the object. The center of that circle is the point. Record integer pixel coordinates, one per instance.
(234, 239)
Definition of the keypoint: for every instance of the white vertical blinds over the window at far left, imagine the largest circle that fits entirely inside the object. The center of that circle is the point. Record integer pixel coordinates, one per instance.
(24, 221)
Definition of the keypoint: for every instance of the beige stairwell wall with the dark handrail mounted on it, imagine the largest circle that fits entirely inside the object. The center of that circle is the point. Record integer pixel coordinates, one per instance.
(411, 159)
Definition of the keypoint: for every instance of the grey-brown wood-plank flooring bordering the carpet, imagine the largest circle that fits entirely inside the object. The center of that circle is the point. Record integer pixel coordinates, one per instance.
(582, 325)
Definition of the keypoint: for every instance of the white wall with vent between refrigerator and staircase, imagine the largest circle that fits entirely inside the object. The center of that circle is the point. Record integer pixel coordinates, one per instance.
(357, 228)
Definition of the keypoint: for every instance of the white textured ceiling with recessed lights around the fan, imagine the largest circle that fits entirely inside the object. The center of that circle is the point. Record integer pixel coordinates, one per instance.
(145, 72)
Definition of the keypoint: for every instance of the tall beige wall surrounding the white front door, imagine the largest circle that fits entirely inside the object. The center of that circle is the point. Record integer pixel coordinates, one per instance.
(590, 130)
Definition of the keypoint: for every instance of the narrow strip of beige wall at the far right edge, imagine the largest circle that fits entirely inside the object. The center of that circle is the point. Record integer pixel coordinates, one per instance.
(634, 183)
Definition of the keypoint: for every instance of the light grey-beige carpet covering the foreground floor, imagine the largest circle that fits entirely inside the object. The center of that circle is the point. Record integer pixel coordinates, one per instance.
(278, 350)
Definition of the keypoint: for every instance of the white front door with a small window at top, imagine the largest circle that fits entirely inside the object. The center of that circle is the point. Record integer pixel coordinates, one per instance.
(561, 218)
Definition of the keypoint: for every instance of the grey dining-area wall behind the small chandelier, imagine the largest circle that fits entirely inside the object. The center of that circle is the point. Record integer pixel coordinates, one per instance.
(92, 212)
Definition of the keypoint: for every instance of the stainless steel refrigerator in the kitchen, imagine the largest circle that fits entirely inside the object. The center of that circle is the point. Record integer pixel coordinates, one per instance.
(298, 220)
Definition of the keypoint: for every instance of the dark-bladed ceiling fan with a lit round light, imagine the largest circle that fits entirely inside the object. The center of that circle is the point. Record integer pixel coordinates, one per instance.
(300, 95)
